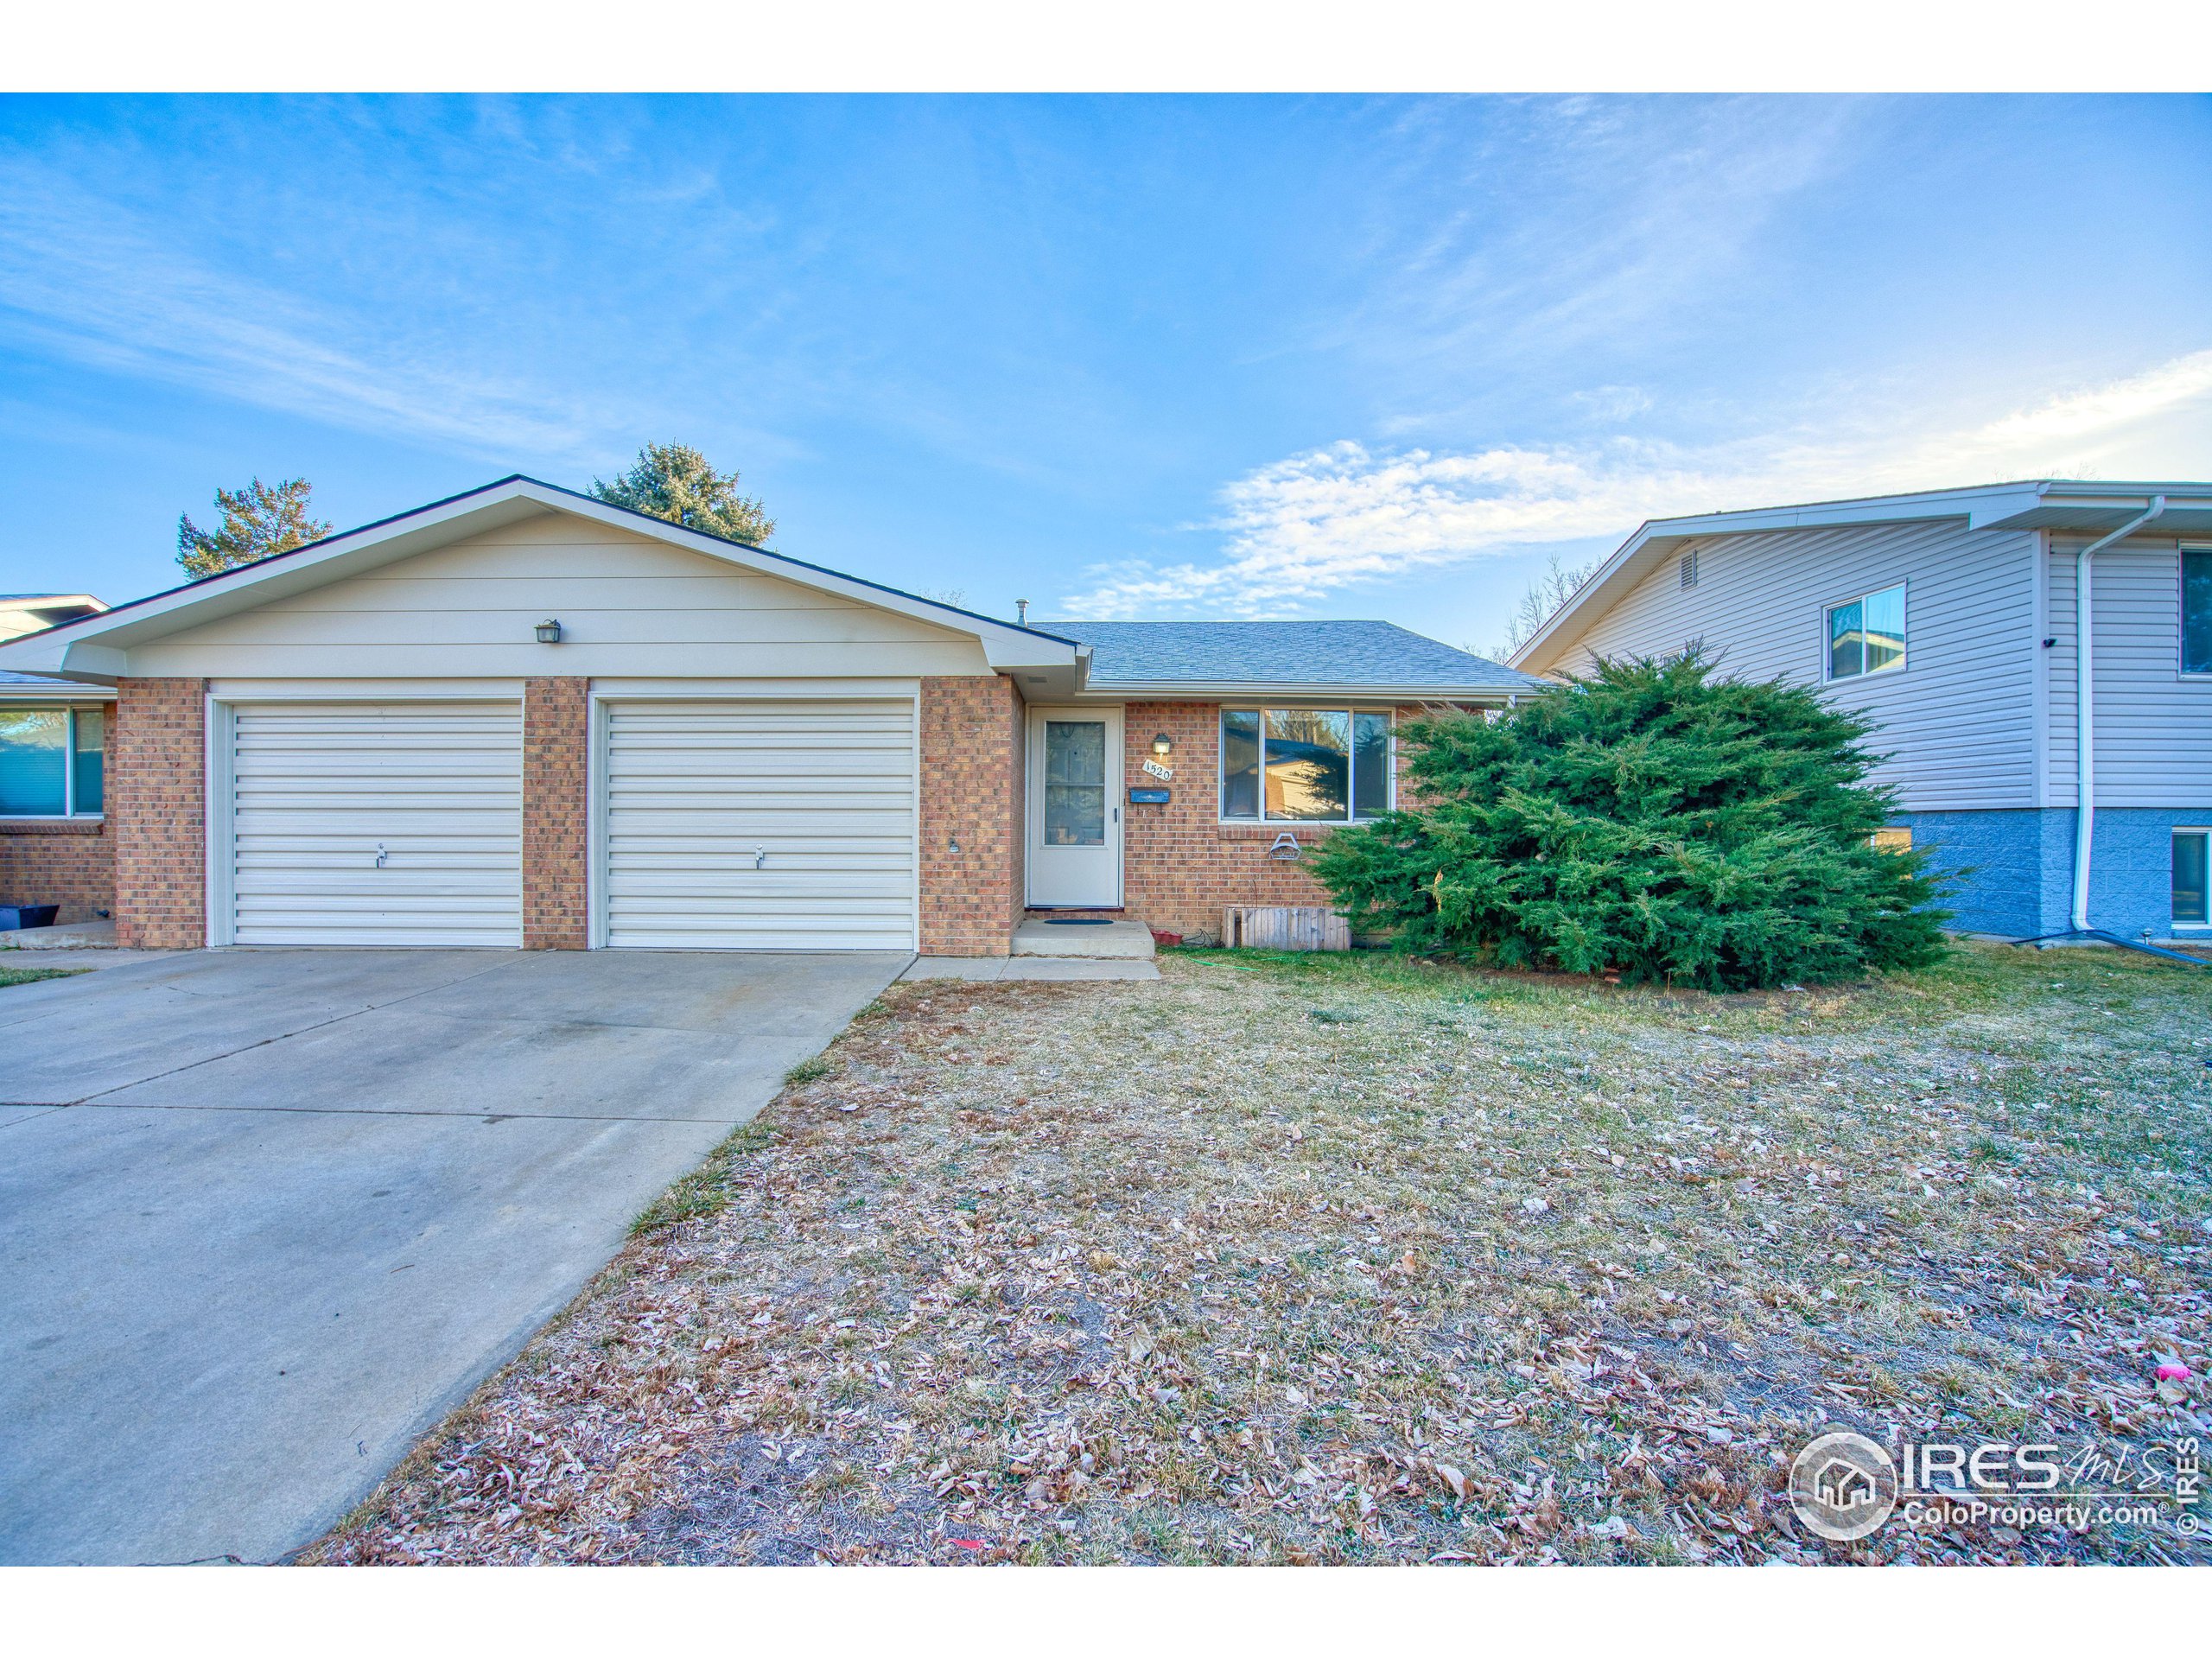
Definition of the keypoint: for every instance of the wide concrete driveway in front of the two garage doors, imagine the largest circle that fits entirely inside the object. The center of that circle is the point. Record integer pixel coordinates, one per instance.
(269, 1215)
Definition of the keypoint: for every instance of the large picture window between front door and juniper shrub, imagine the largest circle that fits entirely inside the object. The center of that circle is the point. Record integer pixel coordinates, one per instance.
(1304, 764)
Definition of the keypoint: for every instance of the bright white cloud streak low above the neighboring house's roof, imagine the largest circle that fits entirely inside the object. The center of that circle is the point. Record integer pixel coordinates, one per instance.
(1342, 517)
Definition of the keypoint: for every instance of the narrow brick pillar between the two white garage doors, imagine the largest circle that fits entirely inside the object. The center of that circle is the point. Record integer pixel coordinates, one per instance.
(556, 815)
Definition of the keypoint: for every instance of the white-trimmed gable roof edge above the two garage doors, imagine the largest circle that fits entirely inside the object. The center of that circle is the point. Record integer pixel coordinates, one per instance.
(94, 647)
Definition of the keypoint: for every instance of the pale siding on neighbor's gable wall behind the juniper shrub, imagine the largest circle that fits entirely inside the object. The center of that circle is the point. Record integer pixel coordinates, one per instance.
(1959, 720)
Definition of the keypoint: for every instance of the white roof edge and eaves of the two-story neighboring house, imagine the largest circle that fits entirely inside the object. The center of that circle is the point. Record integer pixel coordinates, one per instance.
(2023, 505)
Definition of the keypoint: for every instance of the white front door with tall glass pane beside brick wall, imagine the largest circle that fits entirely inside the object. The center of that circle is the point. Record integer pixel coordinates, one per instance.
(1074, 808)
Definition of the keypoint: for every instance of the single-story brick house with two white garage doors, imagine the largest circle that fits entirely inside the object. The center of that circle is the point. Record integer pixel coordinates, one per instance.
(523, 718)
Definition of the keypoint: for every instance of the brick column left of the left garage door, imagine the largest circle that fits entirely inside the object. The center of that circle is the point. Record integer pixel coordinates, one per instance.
(158, 813)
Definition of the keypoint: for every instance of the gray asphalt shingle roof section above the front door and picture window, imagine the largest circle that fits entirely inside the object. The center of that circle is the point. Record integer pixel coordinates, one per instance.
(1280, 654)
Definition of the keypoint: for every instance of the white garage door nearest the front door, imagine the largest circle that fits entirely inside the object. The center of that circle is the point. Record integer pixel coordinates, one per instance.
(771, 826)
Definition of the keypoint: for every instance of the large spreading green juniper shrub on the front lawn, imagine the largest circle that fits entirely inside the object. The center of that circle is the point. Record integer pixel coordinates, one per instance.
(1647, 820)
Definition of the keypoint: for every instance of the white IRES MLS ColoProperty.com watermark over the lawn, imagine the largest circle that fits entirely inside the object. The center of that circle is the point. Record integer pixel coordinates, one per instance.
(1846, 1488)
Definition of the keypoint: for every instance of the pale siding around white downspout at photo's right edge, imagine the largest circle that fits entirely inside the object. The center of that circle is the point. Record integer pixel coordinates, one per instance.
(2153, 724)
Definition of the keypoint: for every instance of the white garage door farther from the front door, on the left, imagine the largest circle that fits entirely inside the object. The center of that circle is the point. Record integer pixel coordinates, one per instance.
(377, 824)
